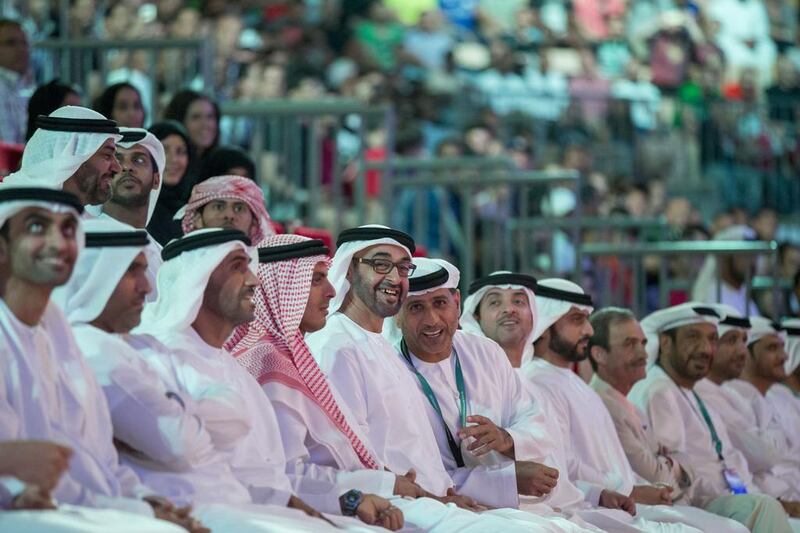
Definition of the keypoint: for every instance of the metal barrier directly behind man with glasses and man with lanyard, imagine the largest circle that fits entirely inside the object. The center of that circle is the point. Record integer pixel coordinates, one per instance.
(460, 207)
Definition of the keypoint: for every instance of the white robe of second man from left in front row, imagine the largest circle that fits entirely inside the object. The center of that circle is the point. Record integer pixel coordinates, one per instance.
(188, 469)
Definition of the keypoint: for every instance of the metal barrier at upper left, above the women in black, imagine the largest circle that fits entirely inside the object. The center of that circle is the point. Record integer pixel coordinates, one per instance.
(155, 66)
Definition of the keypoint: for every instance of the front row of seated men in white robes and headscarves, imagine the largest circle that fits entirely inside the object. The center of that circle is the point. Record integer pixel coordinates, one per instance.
(269, 387)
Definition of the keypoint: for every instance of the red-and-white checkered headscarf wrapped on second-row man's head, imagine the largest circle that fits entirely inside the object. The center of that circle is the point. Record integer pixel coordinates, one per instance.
(229, 188)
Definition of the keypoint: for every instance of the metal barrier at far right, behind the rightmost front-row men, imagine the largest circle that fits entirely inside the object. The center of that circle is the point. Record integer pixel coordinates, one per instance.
(636, 253)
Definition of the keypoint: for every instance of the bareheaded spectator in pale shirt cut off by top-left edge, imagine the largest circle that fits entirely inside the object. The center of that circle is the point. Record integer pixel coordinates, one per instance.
(14, 81)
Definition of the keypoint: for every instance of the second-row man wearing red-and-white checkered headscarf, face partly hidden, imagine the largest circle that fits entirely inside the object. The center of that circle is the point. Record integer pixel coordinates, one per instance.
(232, 202)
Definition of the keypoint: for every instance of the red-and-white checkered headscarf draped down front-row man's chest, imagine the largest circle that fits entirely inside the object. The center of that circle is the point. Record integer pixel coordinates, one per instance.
(272, 348)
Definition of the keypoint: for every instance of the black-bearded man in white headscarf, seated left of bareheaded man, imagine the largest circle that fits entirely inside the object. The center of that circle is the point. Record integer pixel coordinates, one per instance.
(595, 457)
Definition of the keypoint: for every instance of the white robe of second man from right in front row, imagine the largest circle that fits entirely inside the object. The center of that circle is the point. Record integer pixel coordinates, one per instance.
(781, 479)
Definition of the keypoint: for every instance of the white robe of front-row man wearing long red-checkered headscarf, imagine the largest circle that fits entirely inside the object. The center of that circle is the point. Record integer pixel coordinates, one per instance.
(315, 447)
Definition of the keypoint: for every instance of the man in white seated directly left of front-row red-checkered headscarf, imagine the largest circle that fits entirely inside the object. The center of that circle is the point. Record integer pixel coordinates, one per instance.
(206, 289)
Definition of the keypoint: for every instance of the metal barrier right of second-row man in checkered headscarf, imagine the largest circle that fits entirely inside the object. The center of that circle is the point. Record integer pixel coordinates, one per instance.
(295, 146)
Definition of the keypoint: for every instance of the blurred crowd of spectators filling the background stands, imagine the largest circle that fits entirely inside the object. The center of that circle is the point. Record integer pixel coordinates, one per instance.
(685, 110)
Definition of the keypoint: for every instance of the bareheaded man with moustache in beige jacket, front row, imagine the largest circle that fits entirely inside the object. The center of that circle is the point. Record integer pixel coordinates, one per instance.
(619, 360)
